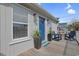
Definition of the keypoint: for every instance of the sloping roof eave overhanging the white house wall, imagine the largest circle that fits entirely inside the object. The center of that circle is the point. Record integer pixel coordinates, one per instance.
(40, 10)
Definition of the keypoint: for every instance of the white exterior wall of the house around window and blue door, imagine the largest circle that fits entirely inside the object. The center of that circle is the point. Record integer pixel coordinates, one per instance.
(14, 47)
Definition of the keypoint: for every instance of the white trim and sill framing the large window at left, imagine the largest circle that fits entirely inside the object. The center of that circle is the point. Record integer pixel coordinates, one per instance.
(18, 40)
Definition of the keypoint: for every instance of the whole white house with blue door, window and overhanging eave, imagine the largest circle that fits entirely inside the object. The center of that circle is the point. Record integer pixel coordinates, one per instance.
(17, 23)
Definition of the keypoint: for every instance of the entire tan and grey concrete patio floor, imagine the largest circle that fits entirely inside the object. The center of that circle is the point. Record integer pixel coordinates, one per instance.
(55, 48)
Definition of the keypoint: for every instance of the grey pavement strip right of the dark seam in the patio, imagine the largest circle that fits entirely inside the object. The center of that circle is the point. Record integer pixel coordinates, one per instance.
(71, 48)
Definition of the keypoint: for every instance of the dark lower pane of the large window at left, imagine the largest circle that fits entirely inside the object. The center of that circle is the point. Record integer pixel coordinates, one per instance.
(19, 30)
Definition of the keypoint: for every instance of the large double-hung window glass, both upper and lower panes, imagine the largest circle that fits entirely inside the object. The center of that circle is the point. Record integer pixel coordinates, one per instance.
(20, 22)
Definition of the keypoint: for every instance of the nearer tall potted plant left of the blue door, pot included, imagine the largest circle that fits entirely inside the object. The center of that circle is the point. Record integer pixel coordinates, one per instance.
(37, 41)
